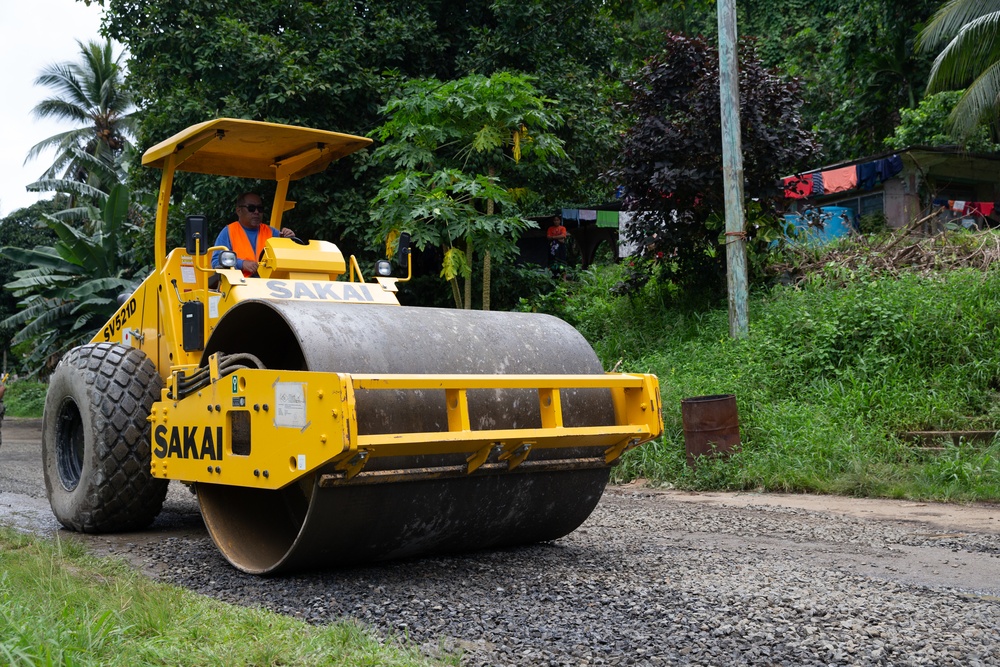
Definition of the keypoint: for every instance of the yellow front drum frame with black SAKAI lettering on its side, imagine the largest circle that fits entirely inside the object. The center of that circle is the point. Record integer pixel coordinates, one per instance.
(266, 428)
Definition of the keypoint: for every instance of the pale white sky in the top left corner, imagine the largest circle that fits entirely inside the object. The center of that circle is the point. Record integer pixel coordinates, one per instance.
(33, 34)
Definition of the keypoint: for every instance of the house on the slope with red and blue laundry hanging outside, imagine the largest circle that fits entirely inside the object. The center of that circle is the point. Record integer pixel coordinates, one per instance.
(905, 186)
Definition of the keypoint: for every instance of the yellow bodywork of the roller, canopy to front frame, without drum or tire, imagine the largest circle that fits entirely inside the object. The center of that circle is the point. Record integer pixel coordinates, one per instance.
(313, 414)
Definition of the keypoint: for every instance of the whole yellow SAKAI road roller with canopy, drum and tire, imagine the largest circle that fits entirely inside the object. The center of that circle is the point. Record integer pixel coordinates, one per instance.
(319, 422)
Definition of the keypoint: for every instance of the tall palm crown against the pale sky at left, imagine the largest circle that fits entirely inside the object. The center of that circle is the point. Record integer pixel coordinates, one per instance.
(91, 93)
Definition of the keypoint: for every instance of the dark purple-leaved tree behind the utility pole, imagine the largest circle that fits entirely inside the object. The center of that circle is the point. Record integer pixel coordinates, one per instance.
(671, 157)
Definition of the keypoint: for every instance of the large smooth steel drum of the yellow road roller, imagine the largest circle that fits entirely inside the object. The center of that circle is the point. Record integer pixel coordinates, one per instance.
(311, 525)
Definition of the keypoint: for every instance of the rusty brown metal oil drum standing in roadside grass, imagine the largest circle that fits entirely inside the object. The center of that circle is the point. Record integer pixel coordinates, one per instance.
(711, 426)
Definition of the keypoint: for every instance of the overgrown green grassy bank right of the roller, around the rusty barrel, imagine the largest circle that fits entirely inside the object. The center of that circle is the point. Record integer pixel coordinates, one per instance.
(827, 380)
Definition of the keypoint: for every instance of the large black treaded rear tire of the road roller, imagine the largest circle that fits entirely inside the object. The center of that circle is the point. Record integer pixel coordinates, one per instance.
(96, 443)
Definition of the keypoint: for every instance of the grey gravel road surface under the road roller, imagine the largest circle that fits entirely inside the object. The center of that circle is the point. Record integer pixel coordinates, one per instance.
(652, 578)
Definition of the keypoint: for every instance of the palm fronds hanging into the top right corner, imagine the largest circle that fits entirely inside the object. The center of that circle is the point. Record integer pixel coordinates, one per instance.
(971, 60)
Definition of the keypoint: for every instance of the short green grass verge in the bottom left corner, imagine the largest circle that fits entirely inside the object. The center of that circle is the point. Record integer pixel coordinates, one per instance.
(59, 606)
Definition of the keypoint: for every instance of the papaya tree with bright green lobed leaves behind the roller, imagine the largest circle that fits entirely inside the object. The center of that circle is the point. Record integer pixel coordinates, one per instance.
(461, 150)
